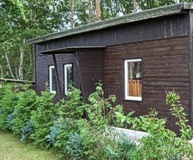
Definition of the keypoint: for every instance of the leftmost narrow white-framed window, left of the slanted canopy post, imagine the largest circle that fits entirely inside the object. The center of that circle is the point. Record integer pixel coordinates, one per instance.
(52, 79)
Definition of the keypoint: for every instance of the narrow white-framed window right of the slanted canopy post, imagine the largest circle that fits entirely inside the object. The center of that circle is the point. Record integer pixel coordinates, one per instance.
(68, 78)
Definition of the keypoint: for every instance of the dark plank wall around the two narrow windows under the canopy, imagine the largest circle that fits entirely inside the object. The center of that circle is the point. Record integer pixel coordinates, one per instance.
(42, 70)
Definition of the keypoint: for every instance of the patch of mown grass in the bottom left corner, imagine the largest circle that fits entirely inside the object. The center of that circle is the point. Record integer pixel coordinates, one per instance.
(12, 149)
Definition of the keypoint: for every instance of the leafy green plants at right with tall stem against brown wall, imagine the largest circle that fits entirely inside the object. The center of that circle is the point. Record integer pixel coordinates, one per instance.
(161, 142)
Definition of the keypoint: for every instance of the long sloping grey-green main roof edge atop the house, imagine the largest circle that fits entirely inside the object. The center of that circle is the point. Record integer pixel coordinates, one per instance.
(133, 17)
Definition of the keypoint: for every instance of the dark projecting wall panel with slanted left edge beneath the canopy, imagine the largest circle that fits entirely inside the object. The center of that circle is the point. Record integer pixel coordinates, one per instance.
(90, 69)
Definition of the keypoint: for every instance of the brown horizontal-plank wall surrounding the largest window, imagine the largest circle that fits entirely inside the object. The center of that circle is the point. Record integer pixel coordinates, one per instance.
(165, 66)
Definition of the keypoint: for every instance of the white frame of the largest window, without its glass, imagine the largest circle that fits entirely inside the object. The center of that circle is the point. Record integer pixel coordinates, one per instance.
(126, 74)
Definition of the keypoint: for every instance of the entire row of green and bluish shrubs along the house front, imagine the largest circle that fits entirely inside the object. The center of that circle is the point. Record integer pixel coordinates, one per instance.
(62, 126)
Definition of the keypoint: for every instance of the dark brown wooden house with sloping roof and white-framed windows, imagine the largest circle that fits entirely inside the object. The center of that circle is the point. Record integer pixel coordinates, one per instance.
(137, 57)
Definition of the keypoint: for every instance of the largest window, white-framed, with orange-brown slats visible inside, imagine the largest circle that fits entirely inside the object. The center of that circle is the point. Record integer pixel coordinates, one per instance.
(133, 79)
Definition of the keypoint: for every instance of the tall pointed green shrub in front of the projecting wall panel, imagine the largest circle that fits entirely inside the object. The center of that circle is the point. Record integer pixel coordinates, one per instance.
(100, 112)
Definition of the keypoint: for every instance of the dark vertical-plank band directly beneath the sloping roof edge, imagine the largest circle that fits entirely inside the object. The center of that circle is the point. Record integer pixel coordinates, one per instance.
(161, 27)
